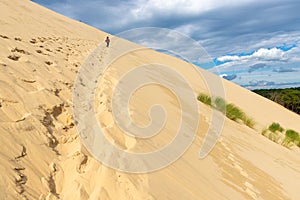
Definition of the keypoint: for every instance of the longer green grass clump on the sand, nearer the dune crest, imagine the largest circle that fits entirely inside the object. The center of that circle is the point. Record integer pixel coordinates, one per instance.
(230, 110)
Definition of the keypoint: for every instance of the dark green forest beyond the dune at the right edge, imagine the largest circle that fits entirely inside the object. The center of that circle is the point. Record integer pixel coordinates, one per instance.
(289, 98)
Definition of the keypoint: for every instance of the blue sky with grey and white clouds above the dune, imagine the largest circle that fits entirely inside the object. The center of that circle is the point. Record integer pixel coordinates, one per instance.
(253, 43)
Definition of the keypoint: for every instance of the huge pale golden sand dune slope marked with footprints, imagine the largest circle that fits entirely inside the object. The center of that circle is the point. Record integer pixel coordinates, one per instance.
(44, 156)
